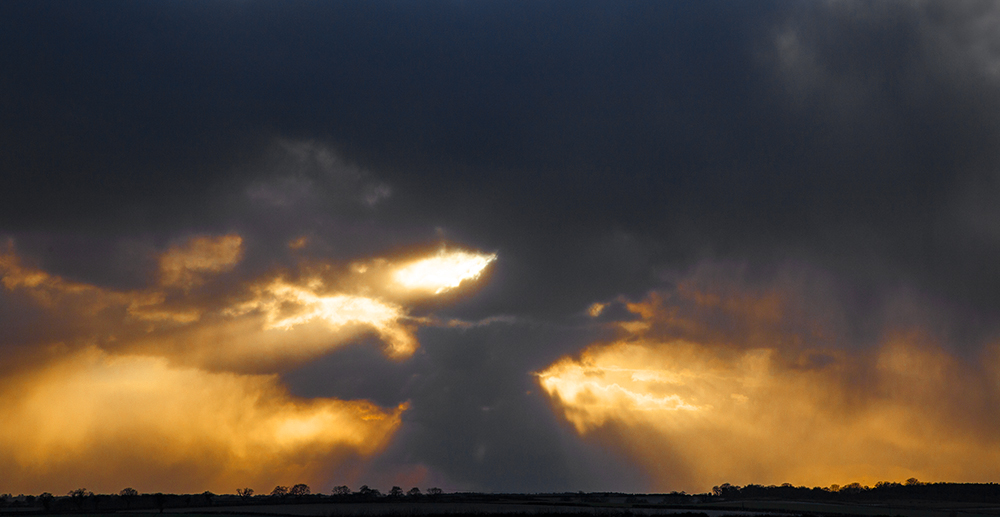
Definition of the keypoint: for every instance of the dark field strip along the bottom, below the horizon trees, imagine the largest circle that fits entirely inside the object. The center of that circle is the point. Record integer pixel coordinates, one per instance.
(555, 505)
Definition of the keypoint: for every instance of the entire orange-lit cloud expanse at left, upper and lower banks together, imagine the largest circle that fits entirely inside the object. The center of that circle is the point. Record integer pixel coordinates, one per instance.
(173, 387)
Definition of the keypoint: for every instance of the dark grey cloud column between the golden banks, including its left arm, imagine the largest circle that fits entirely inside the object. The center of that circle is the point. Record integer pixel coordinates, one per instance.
(476, 417)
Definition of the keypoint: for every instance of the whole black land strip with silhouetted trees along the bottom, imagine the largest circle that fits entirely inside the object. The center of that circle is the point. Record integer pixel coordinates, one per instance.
(913, 499)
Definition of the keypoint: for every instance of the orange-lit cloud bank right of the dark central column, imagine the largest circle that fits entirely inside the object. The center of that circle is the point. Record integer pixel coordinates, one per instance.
(758, 404)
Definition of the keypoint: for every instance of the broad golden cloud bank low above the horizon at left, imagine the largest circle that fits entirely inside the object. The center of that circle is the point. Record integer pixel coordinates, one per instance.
(102, 421)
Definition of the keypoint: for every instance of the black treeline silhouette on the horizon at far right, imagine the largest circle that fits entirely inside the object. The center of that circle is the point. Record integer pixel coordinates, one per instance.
(912, 489)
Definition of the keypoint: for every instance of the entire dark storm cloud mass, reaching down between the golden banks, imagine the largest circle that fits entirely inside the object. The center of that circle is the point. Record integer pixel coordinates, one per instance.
(603, 149)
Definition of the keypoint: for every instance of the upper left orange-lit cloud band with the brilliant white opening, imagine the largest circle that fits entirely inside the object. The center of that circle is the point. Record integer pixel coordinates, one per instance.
(270, 321)
